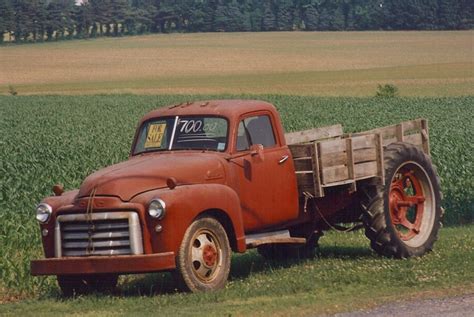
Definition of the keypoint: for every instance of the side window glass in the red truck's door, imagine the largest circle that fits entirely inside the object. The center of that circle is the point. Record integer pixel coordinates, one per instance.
(255, 130)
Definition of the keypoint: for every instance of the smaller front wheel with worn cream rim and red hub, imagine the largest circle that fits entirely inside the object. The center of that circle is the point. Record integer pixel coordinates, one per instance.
(203, 261)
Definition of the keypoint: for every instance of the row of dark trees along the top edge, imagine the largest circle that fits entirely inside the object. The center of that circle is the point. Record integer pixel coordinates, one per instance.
(47, 20)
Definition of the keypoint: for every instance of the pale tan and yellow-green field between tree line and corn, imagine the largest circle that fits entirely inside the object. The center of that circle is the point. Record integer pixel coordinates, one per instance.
(296, 63)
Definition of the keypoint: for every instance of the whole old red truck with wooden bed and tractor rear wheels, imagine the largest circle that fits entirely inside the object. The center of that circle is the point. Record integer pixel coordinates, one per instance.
(205, 179)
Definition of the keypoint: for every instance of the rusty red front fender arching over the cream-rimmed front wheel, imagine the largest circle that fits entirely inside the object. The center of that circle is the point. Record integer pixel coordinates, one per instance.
(183, 205)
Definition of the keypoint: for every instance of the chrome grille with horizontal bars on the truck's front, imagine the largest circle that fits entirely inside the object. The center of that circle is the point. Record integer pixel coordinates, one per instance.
(109, 233)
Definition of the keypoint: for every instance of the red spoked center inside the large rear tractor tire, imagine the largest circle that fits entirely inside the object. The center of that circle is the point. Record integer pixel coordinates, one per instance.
(406, 203)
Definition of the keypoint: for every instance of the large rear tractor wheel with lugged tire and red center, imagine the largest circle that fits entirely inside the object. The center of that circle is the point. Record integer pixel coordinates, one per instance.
(402, 217)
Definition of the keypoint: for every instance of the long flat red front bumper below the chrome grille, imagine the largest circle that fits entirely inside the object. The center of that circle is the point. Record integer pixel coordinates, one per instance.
(123, 264)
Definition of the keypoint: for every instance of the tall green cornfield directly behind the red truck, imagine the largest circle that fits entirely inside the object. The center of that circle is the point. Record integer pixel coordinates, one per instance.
(47, 140)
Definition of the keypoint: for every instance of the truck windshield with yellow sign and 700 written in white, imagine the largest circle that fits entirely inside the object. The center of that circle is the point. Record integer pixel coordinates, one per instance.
(182, 133)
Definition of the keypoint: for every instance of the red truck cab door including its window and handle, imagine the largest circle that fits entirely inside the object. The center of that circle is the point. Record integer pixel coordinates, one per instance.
(266, 181)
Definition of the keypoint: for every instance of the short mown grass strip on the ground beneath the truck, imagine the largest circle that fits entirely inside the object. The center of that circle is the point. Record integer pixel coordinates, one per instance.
(346, 275)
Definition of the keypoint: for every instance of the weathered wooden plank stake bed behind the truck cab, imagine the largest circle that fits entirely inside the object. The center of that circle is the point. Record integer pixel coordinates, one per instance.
(326, 157)
